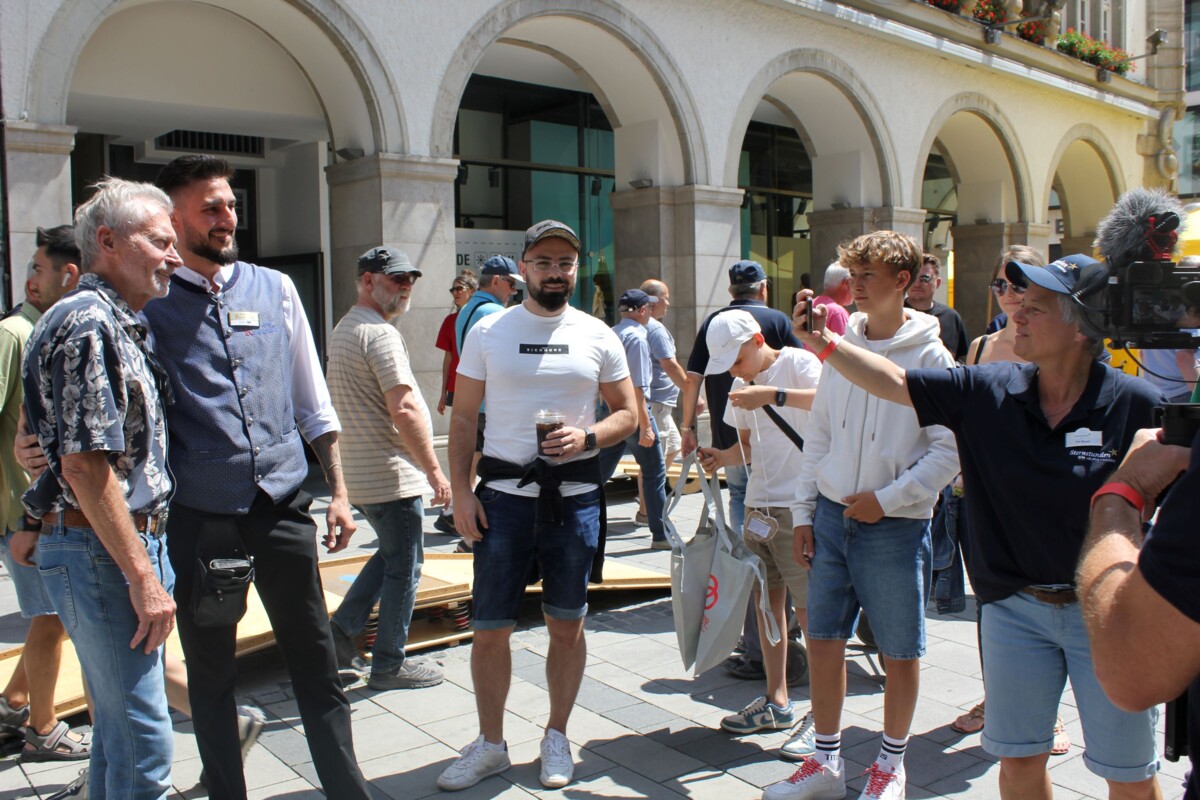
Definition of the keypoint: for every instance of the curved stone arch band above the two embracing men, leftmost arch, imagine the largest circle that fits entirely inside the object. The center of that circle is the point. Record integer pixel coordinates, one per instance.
(326, 43)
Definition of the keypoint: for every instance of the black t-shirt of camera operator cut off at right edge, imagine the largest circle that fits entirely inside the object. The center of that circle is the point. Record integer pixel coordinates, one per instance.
(1171, 563)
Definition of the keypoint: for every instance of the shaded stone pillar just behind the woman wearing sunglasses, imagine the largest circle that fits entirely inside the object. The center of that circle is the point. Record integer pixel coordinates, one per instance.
(976, 251)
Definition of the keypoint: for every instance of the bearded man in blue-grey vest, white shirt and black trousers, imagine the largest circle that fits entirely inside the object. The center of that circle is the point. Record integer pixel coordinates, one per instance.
(248, 384)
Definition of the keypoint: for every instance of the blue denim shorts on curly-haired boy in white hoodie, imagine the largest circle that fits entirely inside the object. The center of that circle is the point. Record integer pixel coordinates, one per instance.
(885, 569)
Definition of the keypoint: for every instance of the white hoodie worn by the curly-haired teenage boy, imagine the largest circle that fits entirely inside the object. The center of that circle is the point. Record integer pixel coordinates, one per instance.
(856, 442)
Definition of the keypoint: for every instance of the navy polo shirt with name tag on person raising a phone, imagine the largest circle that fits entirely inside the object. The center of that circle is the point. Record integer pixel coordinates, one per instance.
(1029, 486)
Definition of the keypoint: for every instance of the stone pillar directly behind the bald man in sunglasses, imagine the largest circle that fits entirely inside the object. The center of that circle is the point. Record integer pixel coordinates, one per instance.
(688, 237)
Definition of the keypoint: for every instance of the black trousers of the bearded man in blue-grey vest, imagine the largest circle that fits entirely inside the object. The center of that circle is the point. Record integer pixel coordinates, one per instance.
(283, 540)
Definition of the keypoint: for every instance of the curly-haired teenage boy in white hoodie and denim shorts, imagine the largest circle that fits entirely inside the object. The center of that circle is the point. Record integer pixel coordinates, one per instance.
(865, 502)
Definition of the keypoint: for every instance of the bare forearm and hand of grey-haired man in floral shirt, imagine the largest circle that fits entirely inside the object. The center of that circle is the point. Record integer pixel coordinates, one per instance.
(104, 504)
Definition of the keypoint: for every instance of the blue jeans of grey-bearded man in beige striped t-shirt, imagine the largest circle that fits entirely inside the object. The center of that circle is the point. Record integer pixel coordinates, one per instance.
(391, 578)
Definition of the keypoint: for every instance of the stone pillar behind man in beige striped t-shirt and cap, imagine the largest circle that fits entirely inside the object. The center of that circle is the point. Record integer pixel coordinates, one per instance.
(405, 202)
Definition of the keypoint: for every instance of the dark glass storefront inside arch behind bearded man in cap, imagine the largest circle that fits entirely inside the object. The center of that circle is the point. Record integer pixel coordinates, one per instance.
(532, 153)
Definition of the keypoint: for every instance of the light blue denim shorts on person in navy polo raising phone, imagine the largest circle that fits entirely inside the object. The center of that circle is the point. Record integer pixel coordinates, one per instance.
(1030, 649)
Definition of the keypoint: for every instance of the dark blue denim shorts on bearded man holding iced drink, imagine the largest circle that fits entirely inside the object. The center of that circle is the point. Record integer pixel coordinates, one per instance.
(511, 546)
